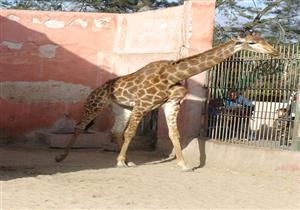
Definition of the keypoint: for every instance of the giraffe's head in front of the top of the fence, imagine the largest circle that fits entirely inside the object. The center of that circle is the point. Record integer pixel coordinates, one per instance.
(254, 42)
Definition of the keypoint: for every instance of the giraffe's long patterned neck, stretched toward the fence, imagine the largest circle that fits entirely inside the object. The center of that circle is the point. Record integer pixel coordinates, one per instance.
(196, 64)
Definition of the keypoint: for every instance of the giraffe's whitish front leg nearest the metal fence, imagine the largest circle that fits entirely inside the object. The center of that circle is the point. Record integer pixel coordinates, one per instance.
(171, 109)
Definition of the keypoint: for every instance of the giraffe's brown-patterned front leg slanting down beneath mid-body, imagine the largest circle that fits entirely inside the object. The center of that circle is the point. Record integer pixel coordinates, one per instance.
(129, 133)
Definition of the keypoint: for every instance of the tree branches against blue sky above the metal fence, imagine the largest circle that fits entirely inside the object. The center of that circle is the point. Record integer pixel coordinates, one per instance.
(279, 19)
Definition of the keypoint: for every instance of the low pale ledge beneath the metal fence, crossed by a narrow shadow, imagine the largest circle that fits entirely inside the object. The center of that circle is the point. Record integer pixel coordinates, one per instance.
(239, 157)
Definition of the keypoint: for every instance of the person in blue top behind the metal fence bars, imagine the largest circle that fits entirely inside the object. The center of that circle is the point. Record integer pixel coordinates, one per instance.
(243, 108)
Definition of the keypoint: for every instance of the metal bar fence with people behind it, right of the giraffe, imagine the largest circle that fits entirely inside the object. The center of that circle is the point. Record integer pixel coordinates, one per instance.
(252, 98)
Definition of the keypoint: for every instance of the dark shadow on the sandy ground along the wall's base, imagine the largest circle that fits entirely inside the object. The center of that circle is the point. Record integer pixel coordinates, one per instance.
(20, 161)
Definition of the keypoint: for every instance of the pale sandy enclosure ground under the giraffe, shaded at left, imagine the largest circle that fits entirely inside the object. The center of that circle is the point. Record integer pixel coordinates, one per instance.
(88, 179)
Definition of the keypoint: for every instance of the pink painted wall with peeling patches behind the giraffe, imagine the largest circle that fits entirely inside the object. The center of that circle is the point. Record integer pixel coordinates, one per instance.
(50, 61)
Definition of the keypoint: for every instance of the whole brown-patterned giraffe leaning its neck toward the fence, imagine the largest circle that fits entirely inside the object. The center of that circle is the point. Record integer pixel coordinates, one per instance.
(156, 85)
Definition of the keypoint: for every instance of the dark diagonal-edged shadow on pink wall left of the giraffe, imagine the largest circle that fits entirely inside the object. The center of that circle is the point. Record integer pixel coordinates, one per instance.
(21, 115)
